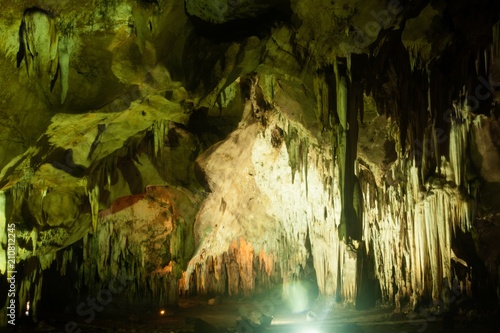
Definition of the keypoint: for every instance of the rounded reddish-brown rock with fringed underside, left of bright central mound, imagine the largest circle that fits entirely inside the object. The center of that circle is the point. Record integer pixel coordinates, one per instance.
(143, 239)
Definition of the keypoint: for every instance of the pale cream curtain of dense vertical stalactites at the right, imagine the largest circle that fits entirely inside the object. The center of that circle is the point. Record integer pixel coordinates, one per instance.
(424, 221)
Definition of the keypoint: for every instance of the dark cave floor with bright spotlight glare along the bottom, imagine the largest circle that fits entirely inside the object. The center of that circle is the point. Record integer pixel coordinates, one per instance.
(224, 314)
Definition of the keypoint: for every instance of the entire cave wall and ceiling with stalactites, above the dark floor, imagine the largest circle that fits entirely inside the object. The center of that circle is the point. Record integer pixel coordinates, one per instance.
(233, 146)
